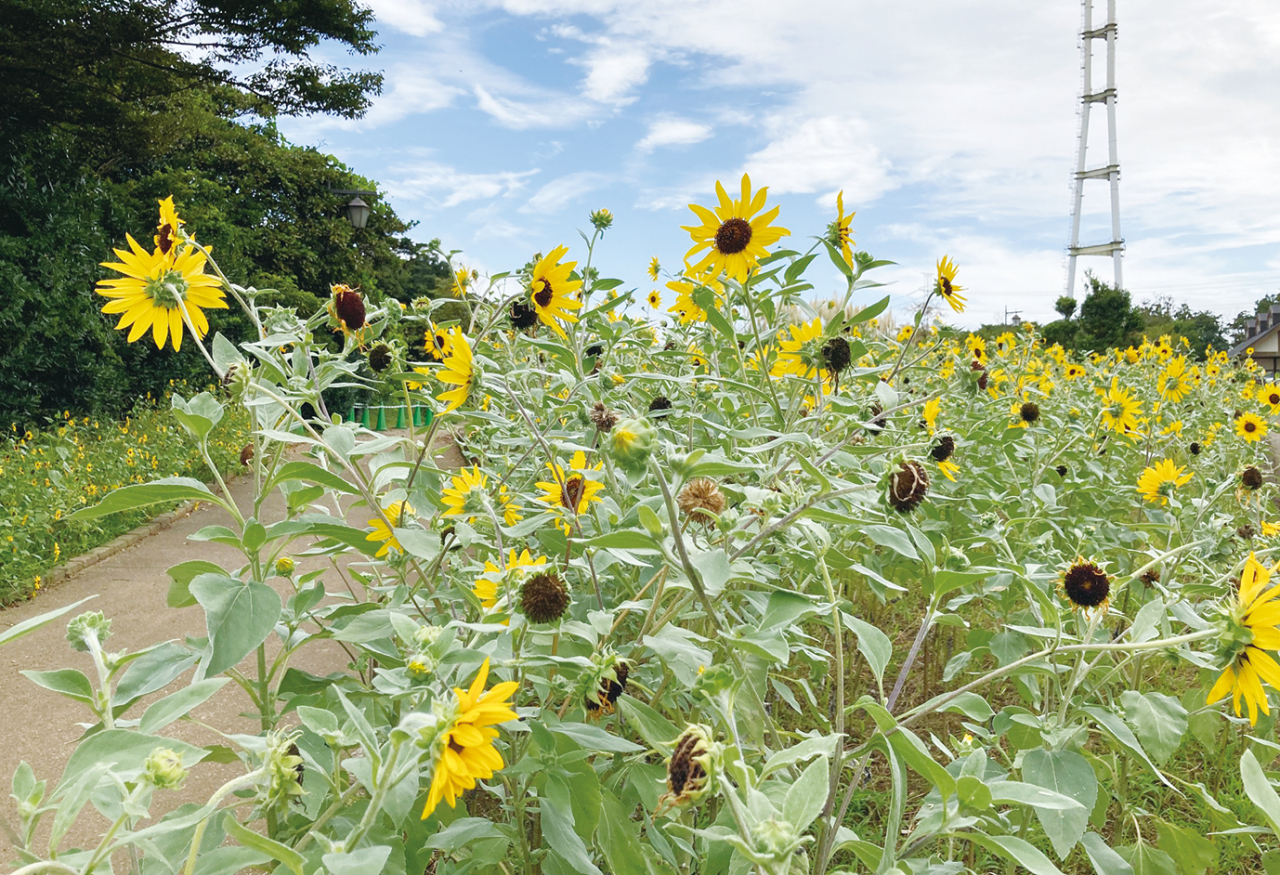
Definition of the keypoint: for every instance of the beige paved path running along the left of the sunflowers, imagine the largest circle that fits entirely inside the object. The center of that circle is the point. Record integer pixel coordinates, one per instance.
(131, 587)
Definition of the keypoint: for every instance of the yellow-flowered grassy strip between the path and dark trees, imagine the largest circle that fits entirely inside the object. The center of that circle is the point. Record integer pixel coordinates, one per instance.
(74, 462)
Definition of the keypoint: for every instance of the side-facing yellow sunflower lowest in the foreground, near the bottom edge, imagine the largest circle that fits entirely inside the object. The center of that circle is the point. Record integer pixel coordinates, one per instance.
(467, 748)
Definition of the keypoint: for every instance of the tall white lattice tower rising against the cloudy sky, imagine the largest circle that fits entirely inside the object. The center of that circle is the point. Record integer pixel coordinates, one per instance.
(1110, 172)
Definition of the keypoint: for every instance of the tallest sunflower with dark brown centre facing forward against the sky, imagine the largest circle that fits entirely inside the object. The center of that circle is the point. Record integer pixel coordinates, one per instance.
(734, 240)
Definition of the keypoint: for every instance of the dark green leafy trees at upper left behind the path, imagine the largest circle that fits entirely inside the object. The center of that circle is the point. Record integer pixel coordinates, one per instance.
(107, 108)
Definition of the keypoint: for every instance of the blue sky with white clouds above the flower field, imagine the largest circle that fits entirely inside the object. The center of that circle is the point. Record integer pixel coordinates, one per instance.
(950, 126)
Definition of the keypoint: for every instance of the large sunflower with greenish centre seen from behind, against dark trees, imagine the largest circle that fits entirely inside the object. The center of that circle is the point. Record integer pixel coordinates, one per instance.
(156, 291)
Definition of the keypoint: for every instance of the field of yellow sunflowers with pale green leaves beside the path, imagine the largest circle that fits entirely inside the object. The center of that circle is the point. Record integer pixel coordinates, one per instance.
(729, 581)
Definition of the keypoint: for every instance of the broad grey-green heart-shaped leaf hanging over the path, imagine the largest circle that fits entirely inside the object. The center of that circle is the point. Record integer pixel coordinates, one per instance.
(239, 617)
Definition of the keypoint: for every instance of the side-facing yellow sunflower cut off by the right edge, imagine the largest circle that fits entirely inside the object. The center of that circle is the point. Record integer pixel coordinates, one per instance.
(1252, 619)
